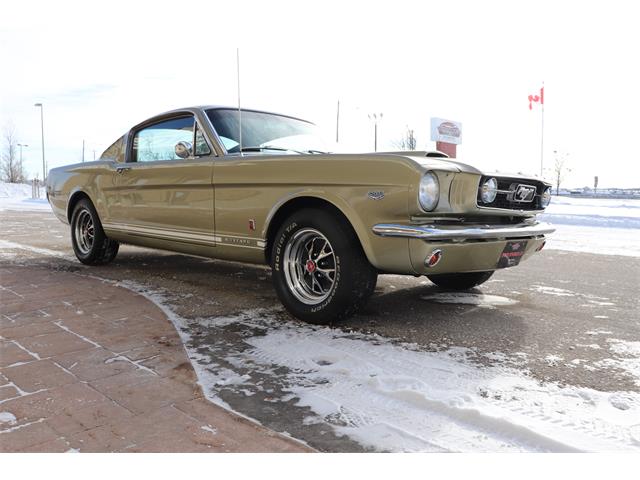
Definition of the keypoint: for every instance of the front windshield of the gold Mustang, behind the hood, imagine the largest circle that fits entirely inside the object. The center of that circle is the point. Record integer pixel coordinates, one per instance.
(265, 132)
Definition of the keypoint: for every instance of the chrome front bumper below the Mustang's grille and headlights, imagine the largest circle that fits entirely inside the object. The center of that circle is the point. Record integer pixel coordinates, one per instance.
(460, 234)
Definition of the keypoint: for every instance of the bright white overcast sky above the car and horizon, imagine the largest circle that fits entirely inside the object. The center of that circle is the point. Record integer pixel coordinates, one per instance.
(100, 69)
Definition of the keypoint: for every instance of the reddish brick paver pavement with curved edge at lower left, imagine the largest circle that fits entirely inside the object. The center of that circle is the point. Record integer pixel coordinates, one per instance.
(91, 367)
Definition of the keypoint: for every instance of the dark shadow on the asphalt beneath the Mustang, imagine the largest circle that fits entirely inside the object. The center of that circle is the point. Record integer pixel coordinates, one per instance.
(402, 308)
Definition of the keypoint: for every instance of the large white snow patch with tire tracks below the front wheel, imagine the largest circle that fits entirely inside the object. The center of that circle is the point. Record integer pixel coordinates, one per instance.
(391, 398)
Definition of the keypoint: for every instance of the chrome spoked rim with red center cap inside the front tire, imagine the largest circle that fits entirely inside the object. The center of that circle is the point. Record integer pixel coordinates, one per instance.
(309, 266)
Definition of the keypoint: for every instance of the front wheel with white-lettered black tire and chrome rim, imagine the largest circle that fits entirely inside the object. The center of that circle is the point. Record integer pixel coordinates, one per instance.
(320, 272)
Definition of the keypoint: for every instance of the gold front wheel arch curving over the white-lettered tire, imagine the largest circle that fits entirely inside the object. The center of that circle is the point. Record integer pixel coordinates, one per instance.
(306, 200)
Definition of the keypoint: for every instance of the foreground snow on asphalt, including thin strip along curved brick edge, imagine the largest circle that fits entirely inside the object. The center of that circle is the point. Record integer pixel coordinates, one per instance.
(395, 397)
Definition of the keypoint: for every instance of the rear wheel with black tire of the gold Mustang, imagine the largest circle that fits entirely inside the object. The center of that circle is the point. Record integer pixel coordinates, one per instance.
(90, 244)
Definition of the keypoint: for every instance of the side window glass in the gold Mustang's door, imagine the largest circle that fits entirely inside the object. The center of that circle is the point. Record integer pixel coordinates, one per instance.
(158, 141)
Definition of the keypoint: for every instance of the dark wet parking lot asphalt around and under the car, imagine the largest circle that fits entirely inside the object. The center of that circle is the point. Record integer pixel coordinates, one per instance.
(547, 311)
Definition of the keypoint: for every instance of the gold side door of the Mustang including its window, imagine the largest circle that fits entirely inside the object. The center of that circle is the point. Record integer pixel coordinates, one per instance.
(164, 190)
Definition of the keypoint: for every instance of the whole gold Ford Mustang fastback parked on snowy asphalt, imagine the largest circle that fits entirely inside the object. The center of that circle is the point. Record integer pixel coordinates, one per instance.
(258, 187)
